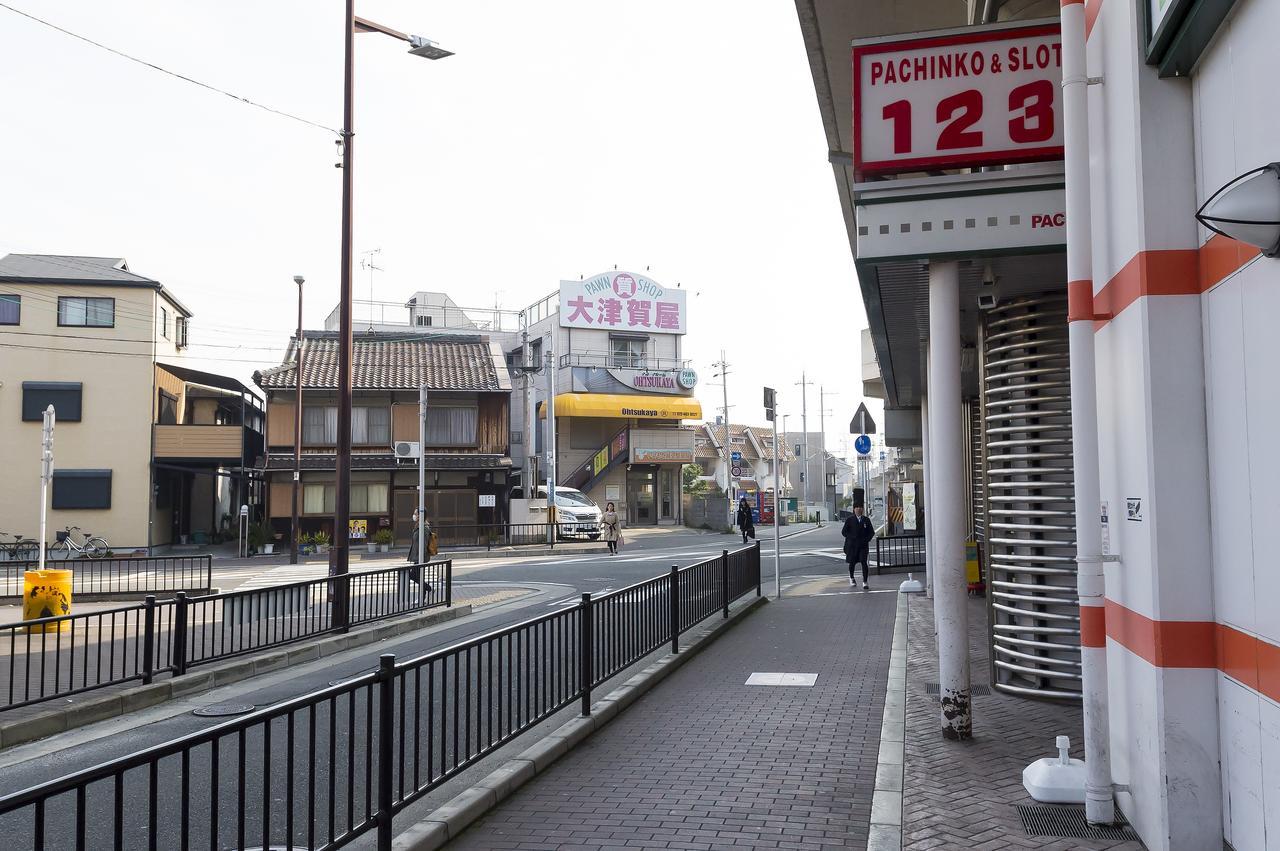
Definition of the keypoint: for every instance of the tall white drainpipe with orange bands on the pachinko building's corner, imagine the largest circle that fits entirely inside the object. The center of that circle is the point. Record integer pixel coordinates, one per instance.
(1100, 800)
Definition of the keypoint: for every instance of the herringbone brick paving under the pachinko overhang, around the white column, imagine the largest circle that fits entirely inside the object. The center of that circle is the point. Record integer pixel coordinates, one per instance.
(961, 797)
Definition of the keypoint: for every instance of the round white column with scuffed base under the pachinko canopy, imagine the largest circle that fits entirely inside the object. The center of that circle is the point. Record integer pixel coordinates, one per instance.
(948, 500)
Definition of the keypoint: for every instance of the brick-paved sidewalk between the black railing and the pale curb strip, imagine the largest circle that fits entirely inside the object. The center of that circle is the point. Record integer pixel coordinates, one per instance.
(707, 762)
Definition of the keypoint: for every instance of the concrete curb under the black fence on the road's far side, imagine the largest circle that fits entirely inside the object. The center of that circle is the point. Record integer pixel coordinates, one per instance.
(121, 703)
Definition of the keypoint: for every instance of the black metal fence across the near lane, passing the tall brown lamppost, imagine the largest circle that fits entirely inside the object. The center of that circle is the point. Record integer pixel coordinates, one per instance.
(52, 658)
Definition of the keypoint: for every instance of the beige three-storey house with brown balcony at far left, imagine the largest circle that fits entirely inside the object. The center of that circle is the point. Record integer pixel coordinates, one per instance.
(147, 451)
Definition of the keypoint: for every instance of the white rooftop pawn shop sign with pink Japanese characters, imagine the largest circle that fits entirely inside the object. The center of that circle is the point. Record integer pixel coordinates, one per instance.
(623, 301)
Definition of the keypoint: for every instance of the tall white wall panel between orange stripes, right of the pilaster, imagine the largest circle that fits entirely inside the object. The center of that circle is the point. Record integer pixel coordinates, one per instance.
(1229, 481)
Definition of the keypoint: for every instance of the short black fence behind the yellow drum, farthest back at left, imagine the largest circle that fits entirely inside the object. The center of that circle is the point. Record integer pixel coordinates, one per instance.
(120, 577)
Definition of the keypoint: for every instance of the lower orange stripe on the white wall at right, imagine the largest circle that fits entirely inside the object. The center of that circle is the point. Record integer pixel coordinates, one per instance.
(1191, 644)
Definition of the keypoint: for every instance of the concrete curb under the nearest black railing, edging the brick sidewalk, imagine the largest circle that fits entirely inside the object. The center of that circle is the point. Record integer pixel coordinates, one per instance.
(451, 820)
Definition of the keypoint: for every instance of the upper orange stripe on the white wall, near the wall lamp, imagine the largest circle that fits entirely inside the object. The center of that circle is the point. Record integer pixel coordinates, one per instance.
(1178, 272)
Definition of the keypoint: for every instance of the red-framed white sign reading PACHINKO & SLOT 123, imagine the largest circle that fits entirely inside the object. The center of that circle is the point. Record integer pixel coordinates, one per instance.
(958, 98)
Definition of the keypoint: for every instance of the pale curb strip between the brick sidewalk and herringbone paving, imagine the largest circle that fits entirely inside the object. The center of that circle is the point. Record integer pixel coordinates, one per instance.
(886, 829)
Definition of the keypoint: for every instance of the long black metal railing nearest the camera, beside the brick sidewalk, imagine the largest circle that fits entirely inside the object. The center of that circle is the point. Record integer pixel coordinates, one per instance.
(321, 771)
